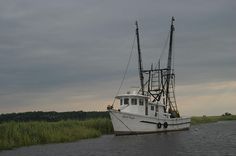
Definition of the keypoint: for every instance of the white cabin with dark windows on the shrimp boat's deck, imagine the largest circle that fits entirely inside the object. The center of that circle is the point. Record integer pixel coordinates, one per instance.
(134, 103)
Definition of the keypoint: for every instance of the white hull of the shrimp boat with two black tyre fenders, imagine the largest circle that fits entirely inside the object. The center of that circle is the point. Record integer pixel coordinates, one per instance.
(126, 123)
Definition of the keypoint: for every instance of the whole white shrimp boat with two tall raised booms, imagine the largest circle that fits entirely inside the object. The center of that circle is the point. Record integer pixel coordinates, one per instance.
(153, 108)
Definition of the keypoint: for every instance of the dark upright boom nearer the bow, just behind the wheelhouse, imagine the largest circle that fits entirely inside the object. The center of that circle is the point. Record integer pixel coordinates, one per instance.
(140, 60)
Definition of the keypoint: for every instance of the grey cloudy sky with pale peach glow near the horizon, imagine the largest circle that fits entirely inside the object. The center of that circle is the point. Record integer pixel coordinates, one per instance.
(70, 55)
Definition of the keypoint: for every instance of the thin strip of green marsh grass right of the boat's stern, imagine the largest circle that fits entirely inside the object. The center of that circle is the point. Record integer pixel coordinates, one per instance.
(209, 119)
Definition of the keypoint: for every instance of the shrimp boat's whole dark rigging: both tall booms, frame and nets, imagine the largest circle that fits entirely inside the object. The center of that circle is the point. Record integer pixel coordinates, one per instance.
(165, 78)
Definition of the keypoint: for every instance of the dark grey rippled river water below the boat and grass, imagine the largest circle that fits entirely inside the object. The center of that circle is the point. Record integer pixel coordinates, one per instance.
(214, 139)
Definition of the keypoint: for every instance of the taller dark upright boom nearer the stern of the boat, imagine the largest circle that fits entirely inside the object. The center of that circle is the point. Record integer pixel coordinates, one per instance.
(169, 61)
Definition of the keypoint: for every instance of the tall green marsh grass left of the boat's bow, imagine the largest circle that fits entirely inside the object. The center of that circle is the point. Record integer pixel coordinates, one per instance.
(16, 134)
